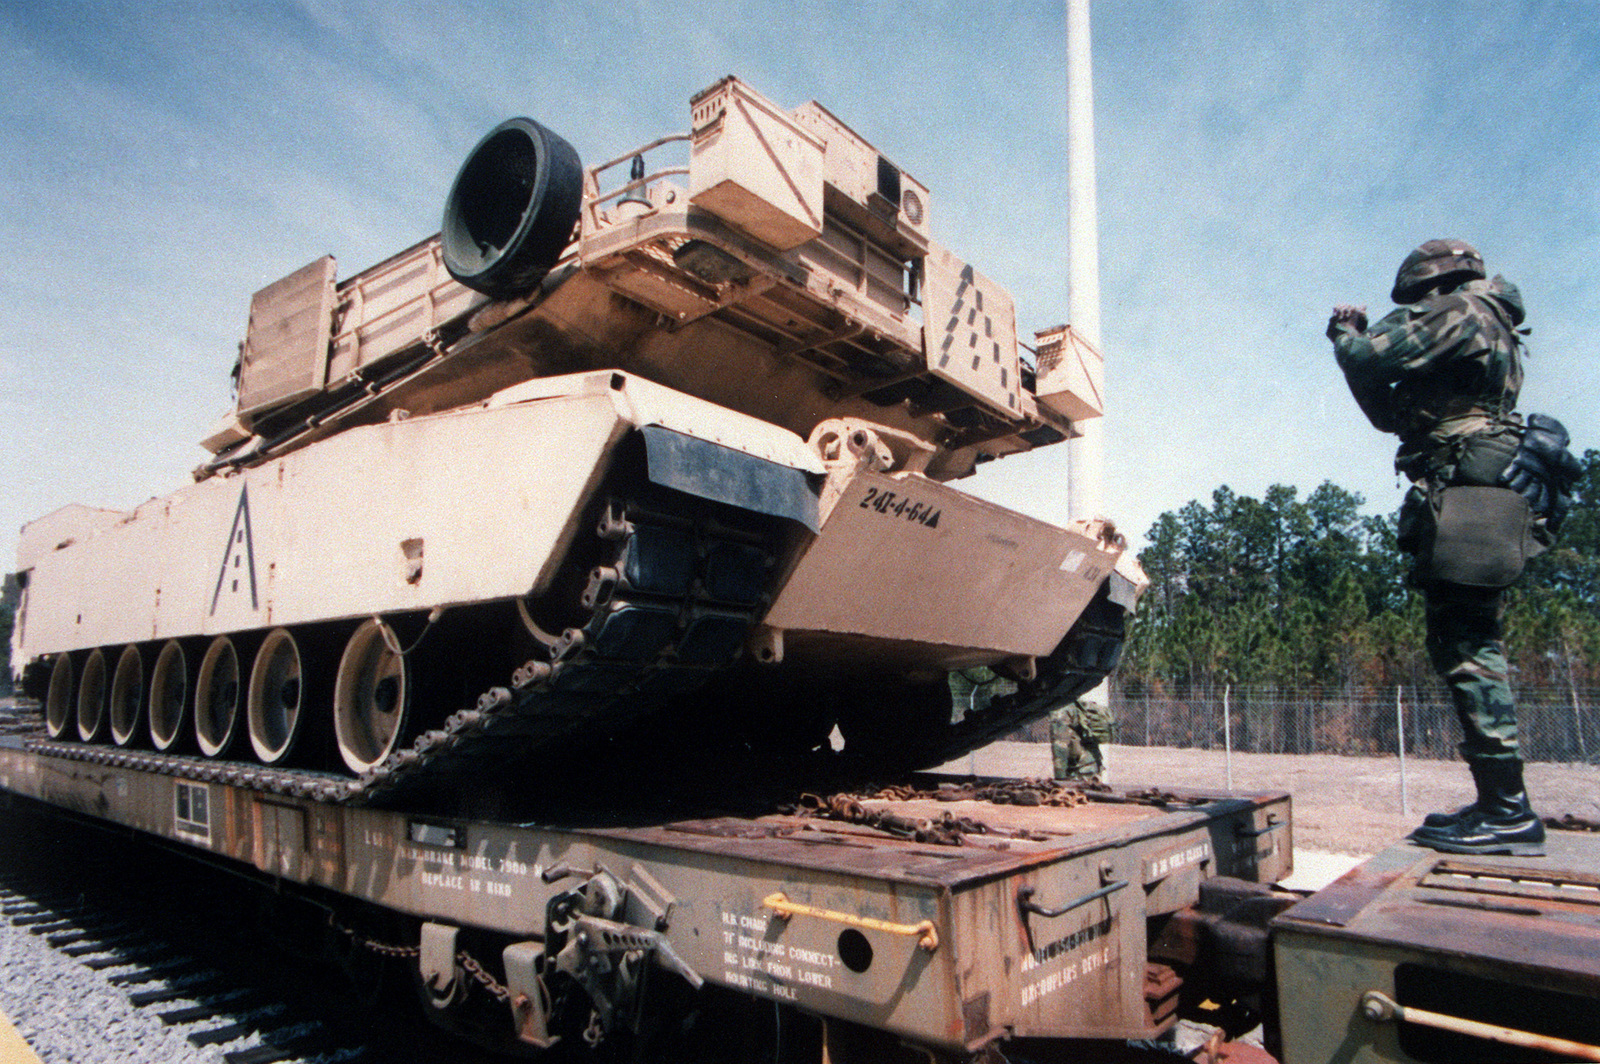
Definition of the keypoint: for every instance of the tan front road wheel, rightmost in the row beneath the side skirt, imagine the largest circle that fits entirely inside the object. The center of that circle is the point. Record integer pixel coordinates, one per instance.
(370, 697)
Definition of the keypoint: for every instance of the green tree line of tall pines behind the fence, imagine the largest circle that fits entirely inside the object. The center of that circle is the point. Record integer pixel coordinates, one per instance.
(1313, 594)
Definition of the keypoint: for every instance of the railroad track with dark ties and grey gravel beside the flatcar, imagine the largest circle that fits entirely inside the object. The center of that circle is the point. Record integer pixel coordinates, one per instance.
(137, 956)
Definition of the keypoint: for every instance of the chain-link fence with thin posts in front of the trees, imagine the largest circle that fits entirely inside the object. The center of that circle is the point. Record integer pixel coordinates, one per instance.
(1556, 724)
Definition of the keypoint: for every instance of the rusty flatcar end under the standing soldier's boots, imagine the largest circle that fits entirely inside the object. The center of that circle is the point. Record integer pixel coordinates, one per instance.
(1492, 937)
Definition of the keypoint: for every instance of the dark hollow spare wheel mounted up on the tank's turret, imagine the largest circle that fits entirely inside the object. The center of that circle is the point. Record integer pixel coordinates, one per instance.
(513, 209)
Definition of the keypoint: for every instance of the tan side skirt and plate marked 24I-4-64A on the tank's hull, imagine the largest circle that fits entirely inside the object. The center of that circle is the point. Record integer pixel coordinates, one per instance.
(479, 505)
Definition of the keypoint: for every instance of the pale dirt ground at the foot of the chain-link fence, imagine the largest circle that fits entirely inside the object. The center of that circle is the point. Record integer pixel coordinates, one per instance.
(1342, 804)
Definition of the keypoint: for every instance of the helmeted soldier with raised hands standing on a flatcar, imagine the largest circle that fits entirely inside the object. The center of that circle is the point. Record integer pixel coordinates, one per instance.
(1444, 372)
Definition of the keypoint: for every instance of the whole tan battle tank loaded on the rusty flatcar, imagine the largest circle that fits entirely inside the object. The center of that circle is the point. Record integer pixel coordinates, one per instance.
(623, 444)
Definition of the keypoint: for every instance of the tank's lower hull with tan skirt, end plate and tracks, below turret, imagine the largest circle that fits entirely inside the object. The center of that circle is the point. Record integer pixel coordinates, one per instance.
(586, 490)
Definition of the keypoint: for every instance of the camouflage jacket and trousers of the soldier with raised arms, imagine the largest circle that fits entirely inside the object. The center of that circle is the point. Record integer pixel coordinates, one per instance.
(1444, 374)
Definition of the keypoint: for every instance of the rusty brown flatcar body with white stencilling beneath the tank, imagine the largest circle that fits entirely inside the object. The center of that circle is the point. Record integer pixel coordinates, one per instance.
(934, 943)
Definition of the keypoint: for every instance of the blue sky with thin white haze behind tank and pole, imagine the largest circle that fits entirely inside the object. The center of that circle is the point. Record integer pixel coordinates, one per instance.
(1257, 166)
